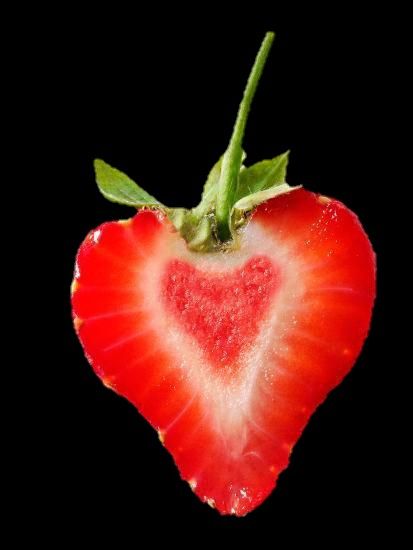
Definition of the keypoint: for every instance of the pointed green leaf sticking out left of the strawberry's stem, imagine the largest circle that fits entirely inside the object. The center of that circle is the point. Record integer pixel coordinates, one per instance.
(118, 187)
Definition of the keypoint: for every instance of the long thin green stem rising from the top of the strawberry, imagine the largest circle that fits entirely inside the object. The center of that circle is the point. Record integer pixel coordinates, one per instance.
(232, 160)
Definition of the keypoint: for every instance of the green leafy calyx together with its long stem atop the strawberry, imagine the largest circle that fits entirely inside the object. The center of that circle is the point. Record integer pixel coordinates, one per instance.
(231, 192)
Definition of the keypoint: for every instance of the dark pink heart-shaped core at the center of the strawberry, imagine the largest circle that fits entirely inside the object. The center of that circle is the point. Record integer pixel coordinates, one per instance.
(223, 310)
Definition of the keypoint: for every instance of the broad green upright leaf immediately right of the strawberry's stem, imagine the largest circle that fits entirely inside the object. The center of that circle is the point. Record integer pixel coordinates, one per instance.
(261, 176)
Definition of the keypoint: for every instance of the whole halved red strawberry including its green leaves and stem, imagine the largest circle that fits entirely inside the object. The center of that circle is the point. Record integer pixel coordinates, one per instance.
(226, 325)
